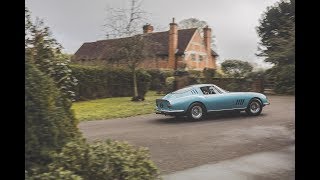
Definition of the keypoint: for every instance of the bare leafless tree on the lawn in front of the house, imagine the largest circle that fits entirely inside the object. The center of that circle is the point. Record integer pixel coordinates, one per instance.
(131, 49)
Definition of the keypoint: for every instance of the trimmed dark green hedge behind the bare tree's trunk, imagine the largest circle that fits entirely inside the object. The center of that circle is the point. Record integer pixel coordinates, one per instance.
(101, 82)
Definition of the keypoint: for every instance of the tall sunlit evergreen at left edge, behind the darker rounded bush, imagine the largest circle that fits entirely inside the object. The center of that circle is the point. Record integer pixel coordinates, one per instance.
(45, 52)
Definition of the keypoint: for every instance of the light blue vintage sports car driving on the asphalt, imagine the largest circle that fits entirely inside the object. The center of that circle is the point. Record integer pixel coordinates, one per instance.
(197, 100)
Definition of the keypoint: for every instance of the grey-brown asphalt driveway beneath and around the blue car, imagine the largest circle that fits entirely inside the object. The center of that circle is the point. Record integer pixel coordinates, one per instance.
(180, 144)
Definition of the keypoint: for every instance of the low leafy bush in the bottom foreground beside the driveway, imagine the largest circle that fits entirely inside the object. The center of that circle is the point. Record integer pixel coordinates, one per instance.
(105, 160)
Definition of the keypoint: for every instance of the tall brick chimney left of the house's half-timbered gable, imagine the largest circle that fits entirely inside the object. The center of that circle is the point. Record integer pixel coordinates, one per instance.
(173, 45)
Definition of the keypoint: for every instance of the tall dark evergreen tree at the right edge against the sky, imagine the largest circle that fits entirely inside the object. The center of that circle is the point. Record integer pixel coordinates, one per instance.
(277, 33)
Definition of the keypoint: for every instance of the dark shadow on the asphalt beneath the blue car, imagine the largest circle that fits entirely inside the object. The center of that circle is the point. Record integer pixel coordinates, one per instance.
(216, 117)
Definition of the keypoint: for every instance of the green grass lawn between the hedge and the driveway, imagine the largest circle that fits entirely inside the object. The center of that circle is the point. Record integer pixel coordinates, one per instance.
(114, 107)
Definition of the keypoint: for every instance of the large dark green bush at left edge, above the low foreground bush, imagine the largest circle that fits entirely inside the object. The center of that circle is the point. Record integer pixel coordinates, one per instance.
(49, 122)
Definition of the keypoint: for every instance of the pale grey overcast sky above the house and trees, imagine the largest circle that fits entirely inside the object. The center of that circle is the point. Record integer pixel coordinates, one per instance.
(233, 22)
